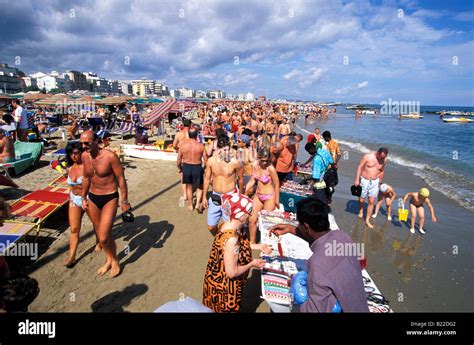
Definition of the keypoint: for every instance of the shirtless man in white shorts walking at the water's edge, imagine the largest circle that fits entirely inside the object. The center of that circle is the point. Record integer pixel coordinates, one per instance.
(369, 175)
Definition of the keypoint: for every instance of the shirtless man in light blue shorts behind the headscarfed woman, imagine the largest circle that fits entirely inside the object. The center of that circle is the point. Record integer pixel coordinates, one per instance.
(222, 171)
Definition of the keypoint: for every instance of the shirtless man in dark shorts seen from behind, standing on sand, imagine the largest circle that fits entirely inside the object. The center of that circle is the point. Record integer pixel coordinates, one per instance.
(190, 157)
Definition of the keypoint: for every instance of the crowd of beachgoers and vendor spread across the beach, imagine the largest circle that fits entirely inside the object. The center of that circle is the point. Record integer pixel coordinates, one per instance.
(233, 163)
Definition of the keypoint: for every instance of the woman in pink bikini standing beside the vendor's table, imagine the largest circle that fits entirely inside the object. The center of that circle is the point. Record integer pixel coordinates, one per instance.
(268, 192)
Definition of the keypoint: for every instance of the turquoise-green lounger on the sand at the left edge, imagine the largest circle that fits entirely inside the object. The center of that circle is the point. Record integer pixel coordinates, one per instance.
(28, 154)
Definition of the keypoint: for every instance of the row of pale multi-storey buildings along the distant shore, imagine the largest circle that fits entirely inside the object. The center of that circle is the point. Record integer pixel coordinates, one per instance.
(13, 80)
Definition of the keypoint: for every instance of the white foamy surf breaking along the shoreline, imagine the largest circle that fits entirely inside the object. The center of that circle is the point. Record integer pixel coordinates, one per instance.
(453, 185)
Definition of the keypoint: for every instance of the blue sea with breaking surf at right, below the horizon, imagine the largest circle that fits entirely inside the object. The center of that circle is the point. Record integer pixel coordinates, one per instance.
(442, 154)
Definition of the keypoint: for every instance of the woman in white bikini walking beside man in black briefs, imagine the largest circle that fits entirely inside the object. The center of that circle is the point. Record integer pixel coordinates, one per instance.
(74, 180)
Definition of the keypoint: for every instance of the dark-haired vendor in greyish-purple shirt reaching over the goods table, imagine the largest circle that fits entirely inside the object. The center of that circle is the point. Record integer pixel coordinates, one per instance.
(331, 278)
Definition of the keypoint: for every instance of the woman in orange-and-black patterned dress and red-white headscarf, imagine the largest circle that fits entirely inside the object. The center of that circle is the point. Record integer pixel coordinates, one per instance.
(231, 257)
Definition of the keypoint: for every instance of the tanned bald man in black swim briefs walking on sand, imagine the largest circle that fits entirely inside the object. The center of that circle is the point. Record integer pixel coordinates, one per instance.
(100, 198)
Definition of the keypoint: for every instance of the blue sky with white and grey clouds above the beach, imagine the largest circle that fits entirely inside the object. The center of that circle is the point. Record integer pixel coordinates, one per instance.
(361, 51)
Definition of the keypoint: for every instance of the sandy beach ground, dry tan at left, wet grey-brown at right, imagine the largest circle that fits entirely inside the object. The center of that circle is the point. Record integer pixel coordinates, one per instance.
(164, 252)
